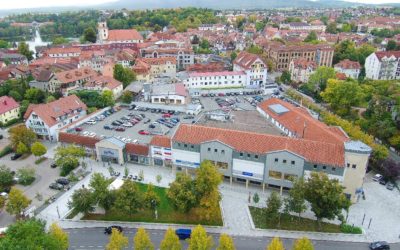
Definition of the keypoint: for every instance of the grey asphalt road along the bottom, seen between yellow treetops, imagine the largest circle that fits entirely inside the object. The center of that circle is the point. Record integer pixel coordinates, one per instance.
(94, 238)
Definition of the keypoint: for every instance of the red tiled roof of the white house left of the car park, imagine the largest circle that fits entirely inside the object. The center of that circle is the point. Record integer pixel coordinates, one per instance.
(50, 111)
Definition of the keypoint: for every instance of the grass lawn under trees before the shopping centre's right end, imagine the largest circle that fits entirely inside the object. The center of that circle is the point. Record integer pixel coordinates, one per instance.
(289, 222)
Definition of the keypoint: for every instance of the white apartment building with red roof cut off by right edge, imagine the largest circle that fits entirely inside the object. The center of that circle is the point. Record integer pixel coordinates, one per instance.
(383, 65)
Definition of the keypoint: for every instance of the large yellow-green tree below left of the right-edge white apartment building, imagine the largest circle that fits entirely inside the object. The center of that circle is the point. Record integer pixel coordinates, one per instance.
(342, 95)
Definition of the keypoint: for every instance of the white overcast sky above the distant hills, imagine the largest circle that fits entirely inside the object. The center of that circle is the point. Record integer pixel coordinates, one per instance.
(17, 4)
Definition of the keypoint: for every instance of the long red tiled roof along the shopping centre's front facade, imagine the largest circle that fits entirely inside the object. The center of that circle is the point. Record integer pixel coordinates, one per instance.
(312, 151)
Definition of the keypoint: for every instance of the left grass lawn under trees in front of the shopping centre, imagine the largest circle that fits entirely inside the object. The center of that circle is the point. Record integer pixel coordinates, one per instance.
(166, 213)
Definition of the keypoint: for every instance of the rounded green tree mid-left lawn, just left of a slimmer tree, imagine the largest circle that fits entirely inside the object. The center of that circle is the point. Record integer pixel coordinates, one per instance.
(128, 198)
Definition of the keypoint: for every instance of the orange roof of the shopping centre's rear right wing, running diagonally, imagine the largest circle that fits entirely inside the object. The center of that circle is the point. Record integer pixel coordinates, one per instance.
(298, 120)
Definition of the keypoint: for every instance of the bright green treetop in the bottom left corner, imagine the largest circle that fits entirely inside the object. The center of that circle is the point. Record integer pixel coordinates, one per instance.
(29, 234)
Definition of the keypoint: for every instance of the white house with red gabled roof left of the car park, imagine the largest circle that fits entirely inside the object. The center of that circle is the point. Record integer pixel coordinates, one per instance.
(46, 120)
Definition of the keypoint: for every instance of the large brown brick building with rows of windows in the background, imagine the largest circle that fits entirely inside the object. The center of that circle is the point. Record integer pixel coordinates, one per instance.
(282, 55)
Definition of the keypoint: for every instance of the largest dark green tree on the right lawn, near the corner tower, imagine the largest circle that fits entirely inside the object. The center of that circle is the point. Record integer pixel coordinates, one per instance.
(325, 197)
